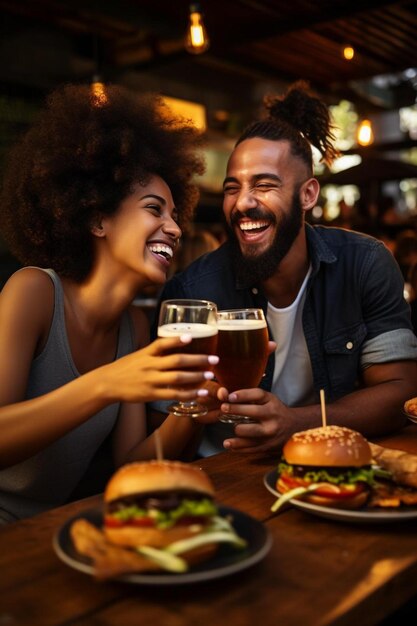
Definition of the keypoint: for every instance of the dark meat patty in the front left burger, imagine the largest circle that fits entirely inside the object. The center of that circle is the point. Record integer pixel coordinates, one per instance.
(160, 500)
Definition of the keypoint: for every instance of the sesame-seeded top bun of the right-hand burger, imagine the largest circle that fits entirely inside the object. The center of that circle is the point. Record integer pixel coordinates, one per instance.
(329, 446)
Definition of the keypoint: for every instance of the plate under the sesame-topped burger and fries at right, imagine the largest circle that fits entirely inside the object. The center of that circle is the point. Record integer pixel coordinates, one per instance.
(367, 515)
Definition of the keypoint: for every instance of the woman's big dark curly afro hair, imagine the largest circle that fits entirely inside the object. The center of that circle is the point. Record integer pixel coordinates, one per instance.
(80, 160)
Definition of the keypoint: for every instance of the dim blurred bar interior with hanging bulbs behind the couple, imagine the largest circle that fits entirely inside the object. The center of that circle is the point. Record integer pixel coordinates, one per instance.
(361, 58)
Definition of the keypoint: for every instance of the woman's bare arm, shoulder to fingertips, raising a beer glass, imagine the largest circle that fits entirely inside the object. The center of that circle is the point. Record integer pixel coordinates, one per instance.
(28, 426)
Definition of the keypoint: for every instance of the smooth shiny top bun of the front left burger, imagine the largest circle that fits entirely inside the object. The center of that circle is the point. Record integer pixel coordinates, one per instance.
(147, 477)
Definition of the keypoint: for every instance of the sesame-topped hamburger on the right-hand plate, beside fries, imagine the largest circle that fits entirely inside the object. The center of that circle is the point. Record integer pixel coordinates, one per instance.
(329, 466)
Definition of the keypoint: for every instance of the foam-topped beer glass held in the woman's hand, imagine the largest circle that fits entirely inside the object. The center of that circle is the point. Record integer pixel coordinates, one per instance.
(198, 319)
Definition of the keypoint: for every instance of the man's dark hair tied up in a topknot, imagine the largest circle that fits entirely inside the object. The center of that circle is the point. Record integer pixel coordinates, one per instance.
(299, 117)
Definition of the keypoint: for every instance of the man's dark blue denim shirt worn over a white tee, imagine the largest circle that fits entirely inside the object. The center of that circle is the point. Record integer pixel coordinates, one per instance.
(354, 315)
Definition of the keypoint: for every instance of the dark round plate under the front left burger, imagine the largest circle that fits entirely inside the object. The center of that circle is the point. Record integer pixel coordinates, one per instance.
(226, 561)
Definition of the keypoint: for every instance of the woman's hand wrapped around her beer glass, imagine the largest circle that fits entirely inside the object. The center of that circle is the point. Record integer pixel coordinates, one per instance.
(160, 371)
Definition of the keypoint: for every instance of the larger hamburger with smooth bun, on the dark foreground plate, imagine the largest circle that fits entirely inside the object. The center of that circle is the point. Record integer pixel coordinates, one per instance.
(165, 508)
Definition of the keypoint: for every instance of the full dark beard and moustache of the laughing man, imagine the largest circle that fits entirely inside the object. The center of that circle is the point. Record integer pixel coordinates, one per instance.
(254, 268)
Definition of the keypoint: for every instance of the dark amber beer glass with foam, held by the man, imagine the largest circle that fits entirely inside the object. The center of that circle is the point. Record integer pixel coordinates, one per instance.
(242, 347)
